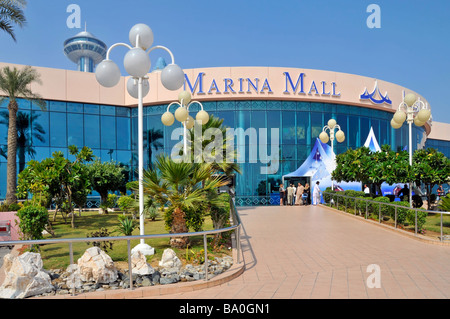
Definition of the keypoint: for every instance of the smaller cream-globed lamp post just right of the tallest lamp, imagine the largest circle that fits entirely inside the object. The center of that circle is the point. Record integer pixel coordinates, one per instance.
(182, 115)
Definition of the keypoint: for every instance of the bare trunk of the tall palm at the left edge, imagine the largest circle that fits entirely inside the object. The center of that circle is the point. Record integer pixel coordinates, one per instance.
(11, 173)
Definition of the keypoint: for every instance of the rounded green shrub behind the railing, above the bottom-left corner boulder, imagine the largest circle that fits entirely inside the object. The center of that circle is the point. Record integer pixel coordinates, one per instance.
(32, 221)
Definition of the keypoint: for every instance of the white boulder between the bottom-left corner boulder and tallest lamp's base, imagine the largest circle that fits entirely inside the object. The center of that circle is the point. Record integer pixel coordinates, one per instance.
(95, 265)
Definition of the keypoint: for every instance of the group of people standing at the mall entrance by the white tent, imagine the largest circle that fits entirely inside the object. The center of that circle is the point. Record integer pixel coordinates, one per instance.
(300, 195)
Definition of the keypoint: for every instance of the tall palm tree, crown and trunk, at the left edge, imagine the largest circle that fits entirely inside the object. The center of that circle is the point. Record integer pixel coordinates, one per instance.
(15, 83)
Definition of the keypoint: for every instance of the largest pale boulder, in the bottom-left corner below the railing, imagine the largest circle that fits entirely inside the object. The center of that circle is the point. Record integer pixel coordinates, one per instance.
(25, 277)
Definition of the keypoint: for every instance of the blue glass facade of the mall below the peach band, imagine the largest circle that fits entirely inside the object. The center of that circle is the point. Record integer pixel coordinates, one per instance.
(111, 132)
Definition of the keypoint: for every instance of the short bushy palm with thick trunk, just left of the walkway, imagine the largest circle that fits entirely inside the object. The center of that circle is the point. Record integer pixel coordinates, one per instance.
(182, 187)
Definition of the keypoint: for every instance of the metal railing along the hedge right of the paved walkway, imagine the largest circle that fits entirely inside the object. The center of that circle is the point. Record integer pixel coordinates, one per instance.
(344, 198)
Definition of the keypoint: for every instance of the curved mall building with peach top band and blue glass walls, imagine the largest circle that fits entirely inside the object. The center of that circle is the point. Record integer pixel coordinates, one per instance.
(290, 105)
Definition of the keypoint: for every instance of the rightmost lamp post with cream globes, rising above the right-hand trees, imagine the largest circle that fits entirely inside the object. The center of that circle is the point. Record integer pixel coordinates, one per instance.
(412, 110)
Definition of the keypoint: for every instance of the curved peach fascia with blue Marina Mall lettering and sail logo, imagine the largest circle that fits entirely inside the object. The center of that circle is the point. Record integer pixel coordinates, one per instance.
(292, 84)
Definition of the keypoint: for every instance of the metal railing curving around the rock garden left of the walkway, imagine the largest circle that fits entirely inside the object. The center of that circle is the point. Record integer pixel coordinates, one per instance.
(234, 218)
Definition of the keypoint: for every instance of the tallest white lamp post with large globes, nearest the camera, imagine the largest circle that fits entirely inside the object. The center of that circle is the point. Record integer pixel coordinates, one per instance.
(137, 63)
